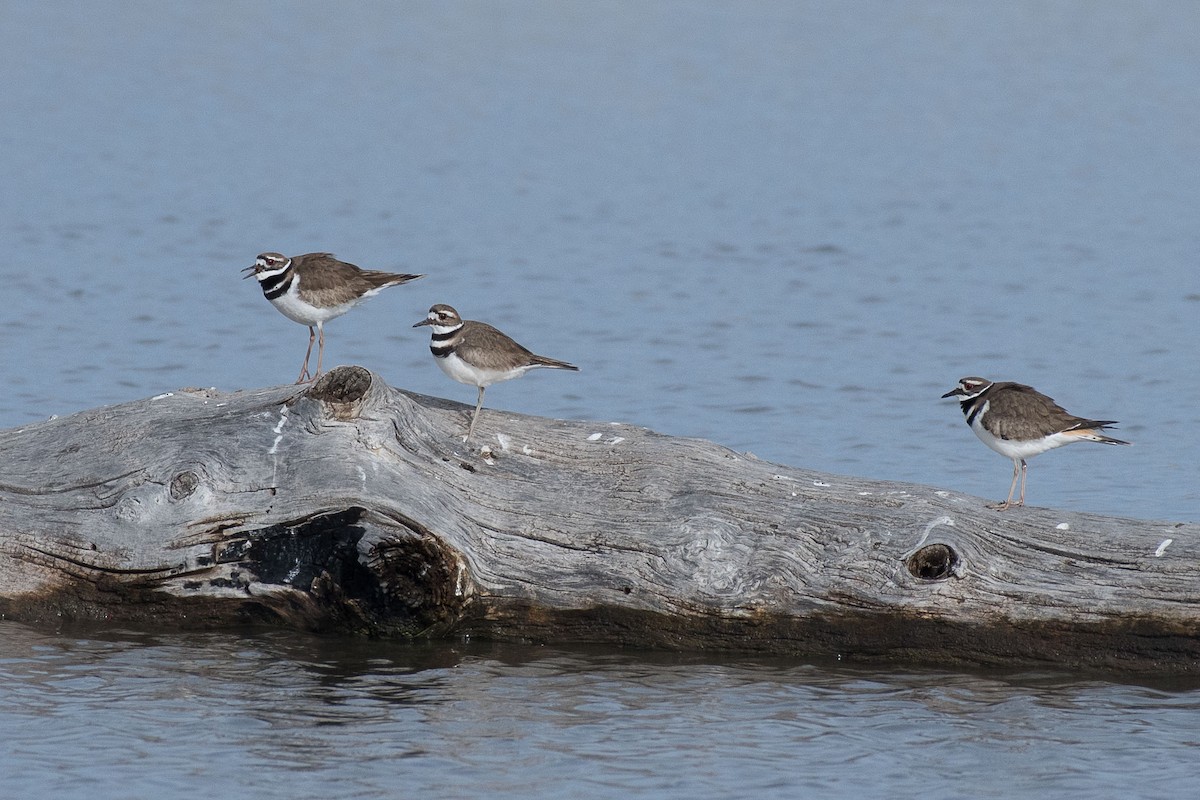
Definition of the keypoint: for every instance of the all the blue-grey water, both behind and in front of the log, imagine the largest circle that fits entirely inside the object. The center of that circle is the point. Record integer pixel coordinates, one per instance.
(784, 227)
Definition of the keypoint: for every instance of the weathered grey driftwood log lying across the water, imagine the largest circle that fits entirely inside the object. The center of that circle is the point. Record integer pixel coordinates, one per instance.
(355, 507)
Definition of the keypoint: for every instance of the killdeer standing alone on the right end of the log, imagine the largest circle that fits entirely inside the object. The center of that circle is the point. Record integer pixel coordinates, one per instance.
(1019, 423)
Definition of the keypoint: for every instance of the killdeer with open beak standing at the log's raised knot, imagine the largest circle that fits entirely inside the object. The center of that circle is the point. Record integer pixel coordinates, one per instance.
(315, 288)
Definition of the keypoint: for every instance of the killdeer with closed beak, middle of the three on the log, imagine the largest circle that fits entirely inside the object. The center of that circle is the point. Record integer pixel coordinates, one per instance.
(478, 354)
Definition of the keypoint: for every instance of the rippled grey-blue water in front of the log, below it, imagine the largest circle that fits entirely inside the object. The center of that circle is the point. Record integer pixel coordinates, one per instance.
(141, 715)
